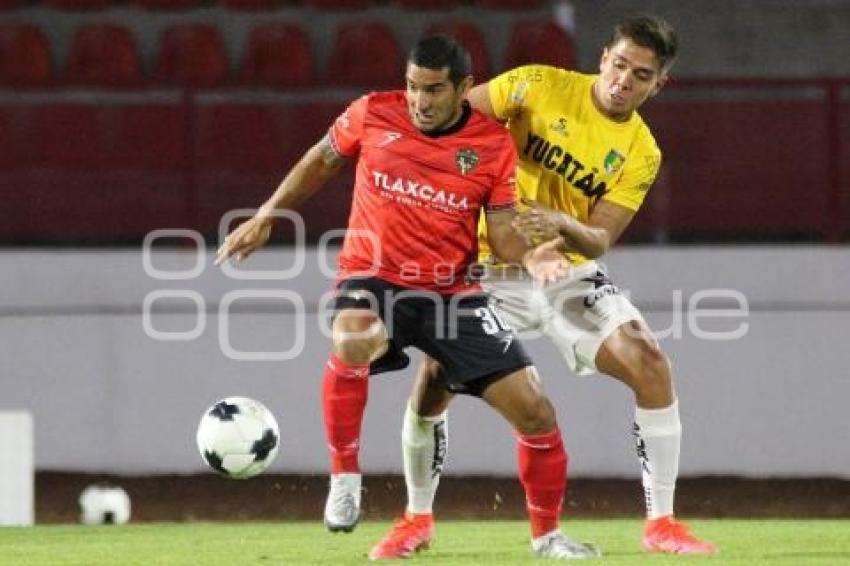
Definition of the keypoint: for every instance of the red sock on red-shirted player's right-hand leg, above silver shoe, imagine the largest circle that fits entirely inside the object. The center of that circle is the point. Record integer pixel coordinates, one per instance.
(543, 473)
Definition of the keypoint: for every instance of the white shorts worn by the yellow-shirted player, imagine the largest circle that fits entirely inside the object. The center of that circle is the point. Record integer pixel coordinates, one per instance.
(577, 313)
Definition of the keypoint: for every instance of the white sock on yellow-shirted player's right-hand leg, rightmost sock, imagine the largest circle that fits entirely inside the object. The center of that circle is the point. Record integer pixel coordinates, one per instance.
(658, 435)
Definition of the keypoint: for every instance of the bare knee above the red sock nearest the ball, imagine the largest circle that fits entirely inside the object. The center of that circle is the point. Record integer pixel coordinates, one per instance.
(358, 335)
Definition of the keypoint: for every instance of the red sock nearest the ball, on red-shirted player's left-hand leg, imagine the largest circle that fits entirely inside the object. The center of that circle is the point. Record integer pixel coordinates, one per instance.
(345, 388)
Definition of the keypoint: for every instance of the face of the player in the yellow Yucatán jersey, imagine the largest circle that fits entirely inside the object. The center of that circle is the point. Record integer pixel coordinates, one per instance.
(629, 75)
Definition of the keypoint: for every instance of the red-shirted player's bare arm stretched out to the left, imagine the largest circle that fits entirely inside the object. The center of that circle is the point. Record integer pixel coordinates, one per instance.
(319, 164)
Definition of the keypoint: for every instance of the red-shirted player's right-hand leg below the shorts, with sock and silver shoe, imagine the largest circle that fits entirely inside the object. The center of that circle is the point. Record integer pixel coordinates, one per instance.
(541, 459)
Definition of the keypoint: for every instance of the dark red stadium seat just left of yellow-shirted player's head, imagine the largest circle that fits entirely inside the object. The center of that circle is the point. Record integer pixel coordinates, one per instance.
(544, 43)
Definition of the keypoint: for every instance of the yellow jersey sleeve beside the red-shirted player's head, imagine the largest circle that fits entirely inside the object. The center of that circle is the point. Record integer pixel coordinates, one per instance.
(519, 88)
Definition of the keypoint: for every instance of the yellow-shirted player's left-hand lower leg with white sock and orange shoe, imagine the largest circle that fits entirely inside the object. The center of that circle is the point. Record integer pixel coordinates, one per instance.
(424, 441)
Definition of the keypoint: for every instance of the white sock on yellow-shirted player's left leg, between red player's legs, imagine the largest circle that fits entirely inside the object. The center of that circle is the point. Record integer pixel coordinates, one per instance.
(424, 441)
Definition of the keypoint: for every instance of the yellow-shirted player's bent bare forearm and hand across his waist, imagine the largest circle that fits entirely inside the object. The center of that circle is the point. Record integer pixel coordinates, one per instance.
(604, 227)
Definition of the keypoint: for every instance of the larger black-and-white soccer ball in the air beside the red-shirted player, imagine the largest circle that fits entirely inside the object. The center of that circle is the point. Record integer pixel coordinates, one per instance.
(238, 437)
